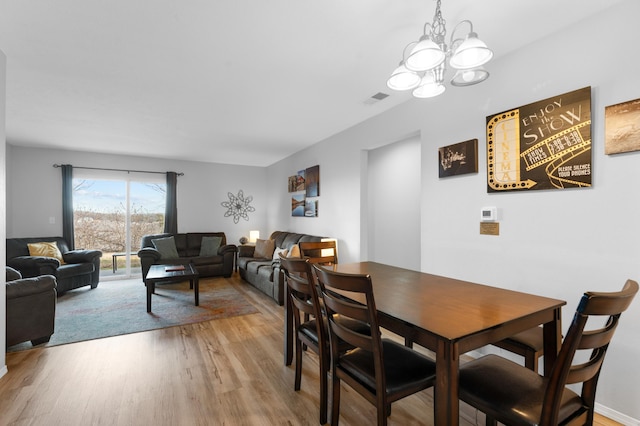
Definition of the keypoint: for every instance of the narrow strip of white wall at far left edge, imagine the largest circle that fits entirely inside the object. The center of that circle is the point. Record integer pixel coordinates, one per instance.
(3, 210)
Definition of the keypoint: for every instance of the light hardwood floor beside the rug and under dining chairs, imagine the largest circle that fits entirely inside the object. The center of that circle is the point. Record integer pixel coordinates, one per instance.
(221, 372)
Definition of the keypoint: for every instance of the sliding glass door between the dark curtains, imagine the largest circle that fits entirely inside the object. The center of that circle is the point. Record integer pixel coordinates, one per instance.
(112, 211)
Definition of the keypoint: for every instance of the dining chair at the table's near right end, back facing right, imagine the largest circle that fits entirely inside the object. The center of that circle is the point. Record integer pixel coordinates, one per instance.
(511, 394)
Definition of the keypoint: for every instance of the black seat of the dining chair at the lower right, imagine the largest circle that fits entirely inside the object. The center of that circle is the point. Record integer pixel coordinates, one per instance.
(503, 389)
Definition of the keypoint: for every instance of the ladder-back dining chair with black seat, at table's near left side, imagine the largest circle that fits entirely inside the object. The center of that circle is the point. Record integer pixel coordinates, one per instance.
(381, 370)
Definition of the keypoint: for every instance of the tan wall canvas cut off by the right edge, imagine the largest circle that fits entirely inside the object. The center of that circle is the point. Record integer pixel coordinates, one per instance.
(622, 127)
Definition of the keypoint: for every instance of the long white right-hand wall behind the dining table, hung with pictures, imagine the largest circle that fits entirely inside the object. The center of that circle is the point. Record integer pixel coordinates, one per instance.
(555, 243)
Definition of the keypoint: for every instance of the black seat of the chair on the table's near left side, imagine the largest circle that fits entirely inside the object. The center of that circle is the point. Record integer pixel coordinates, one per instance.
(404, 368)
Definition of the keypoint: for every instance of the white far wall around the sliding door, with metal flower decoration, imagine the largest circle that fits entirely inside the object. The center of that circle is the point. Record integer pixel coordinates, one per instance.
(35, 188)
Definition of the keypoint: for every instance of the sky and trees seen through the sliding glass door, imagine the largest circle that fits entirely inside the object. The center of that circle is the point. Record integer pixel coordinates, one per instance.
(100, 216)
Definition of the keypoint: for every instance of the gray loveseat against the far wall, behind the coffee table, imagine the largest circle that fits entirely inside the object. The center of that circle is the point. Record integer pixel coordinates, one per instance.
(189, 250)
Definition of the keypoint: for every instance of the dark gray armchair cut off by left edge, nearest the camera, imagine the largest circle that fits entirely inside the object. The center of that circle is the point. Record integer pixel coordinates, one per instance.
(31, 308)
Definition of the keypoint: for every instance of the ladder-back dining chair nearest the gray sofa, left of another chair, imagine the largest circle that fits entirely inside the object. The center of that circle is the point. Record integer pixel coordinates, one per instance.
(308, 327)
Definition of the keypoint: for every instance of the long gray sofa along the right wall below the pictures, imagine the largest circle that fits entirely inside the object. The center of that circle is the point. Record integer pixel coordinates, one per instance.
(265, 274)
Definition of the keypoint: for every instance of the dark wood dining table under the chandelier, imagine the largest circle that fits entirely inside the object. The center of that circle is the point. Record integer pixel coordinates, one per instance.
(449, 317)
